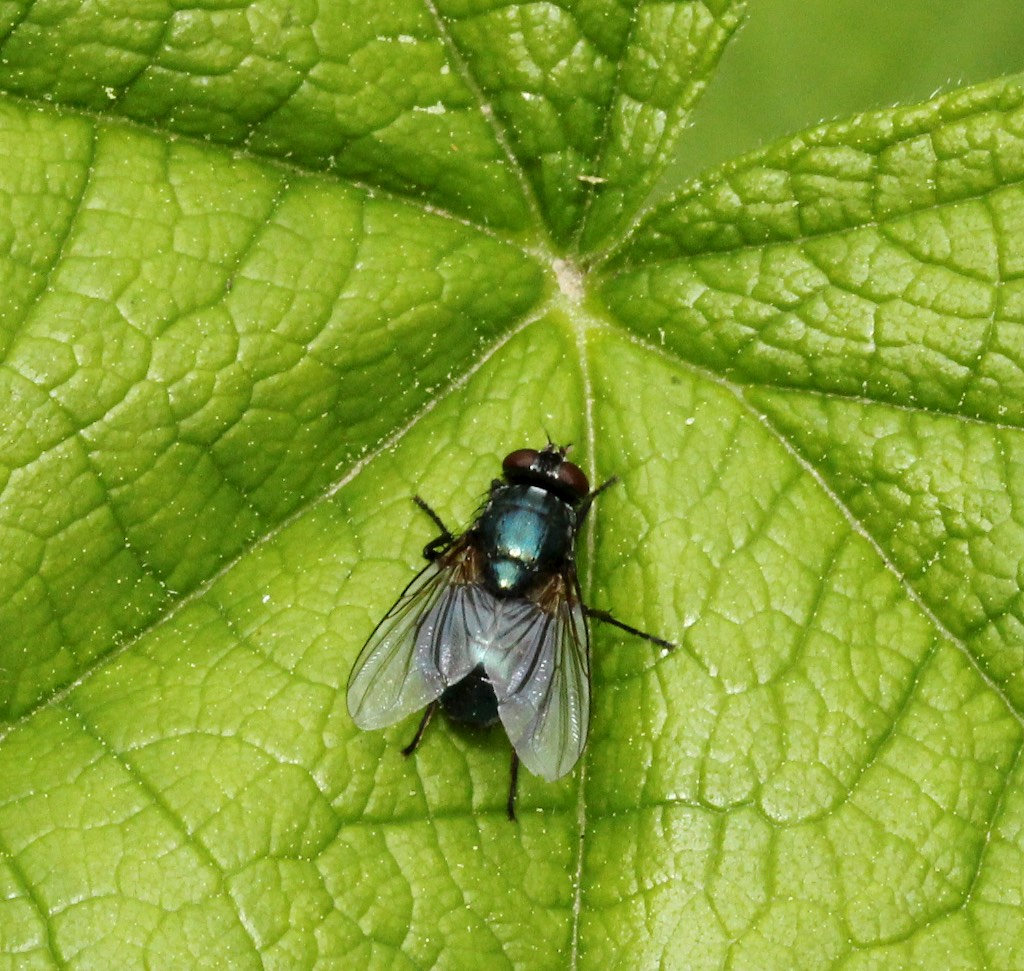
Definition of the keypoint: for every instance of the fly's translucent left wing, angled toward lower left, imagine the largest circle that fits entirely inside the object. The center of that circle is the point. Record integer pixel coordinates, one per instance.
(421, 646)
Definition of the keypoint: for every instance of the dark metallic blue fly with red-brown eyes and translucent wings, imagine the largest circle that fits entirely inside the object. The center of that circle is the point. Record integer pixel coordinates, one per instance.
(495, 628)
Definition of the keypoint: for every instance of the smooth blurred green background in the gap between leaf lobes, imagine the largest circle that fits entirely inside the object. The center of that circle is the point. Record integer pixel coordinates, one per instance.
(797, 63)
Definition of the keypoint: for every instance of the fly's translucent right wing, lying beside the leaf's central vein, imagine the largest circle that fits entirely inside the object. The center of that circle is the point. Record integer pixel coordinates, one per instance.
(542, 678)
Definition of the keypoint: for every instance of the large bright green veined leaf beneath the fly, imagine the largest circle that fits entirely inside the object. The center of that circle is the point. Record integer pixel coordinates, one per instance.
(271, 271)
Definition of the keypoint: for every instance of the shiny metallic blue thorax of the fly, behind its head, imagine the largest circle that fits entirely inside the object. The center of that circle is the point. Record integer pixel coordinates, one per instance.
(526, 534)
